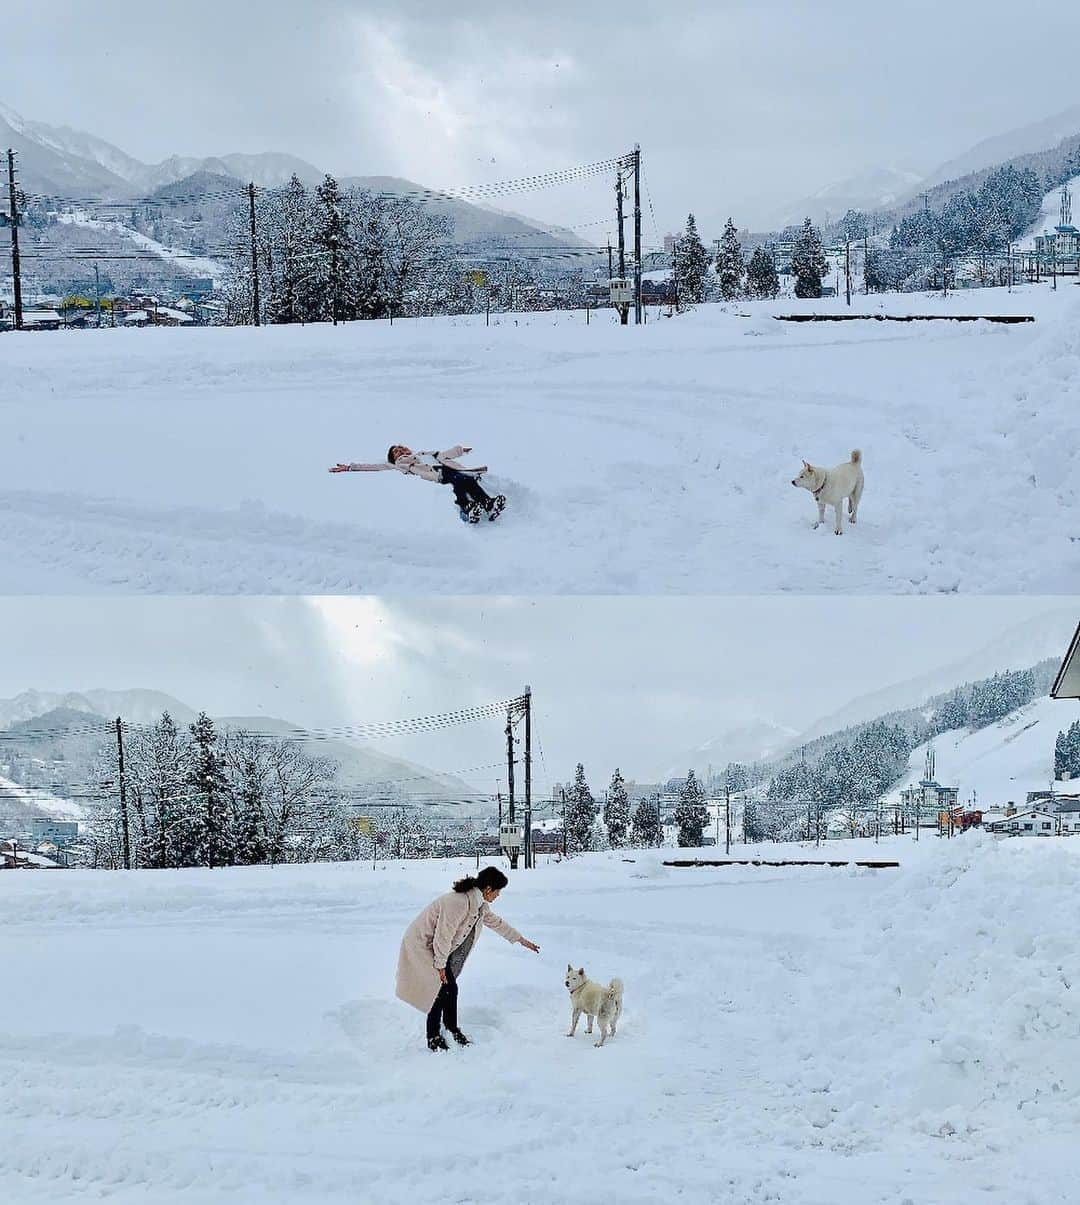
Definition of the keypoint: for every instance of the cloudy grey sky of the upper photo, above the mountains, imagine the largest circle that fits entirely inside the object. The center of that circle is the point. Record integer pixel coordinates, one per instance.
(737, 105)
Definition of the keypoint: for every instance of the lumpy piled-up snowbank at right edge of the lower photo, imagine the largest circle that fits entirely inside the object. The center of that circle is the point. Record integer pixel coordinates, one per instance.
(978, 1007)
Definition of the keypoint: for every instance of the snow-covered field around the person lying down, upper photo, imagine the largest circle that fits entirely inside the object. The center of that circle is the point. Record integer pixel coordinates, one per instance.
(650, 461)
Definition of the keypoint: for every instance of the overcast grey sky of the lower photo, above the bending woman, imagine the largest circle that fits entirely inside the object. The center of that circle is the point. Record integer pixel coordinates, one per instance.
(626, 681)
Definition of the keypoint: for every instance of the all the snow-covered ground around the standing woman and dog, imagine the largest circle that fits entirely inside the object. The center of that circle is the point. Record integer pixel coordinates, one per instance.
(803, 1037)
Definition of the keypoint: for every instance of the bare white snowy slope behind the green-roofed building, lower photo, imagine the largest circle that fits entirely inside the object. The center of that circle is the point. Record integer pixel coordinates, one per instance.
(1002, 762)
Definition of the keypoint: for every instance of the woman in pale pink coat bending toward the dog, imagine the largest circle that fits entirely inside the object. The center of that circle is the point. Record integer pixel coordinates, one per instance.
(437, 945)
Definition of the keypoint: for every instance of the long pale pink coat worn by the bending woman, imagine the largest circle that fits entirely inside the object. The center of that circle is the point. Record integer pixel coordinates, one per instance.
(427, 945)
